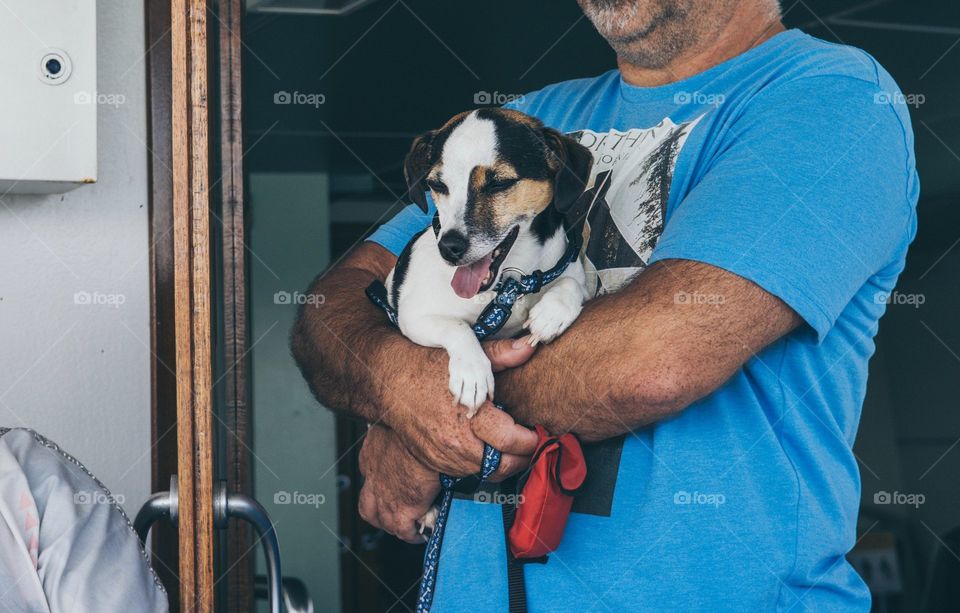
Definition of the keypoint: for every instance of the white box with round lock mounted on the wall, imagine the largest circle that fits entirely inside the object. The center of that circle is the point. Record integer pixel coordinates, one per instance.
(48, 95)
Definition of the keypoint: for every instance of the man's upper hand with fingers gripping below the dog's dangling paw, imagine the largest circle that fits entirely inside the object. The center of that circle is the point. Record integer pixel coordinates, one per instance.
(418, 406)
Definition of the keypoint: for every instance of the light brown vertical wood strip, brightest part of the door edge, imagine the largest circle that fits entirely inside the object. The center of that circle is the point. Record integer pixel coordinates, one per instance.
(192, 299)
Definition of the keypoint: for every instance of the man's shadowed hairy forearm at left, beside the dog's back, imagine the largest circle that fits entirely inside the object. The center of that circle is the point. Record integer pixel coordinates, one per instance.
(338, 341)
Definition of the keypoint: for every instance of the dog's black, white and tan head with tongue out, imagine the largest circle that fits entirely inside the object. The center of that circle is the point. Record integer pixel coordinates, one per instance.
(491, 172)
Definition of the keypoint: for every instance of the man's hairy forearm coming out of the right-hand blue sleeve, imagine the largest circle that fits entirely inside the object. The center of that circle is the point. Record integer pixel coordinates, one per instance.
(671, 337)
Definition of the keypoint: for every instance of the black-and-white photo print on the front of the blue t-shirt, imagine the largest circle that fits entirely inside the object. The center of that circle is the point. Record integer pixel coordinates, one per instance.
(629, 190)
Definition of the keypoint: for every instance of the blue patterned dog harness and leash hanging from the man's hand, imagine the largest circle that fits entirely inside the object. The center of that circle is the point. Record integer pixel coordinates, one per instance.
(490, 321)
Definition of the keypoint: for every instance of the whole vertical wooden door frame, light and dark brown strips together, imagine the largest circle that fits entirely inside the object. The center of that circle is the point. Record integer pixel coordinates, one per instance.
(183, 432)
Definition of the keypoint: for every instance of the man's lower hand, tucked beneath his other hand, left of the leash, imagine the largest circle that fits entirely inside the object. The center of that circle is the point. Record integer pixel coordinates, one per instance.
(397, 489)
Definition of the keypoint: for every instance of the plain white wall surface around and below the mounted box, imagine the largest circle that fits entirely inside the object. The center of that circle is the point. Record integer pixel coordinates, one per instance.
(80, 374)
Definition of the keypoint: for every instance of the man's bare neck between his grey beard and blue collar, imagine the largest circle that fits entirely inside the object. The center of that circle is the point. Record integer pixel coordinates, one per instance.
(741, 33)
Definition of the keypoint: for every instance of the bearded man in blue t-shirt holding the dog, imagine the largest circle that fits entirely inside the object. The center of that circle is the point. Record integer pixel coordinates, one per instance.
(757, 197)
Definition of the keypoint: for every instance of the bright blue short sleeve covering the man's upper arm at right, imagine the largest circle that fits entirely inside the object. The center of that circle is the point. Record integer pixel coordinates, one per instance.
(810, 194)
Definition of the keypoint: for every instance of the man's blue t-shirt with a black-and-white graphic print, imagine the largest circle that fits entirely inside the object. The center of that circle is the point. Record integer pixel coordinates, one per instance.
(791, 166)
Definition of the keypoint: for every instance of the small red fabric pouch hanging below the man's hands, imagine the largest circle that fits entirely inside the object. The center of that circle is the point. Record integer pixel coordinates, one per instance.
(557, 472)
